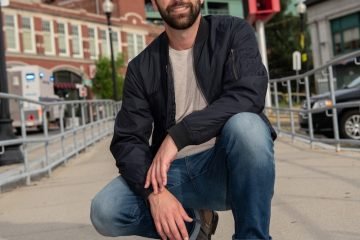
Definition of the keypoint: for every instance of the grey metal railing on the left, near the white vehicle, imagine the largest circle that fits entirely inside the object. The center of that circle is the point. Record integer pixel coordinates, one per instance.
(87, 122)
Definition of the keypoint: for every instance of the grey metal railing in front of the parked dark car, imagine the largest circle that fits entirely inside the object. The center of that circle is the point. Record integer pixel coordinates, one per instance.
(284, 117)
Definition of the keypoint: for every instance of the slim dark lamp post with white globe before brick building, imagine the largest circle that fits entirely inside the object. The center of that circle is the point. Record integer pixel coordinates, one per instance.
(108, 7)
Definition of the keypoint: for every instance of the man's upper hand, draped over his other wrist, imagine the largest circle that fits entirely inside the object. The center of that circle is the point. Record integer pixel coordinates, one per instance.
(157, 173)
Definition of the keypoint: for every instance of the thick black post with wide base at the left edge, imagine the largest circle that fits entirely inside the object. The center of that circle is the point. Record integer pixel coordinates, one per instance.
(9, 154)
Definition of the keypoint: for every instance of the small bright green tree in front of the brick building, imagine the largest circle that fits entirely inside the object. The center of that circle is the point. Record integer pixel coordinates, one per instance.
(103, 84)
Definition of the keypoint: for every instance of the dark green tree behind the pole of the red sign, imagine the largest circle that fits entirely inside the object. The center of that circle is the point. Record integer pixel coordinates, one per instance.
(282, 39)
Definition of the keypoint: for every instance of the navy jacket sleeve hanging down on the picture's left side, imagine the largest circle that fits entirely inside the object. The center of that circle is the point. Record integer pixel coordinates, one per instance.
(132, 130)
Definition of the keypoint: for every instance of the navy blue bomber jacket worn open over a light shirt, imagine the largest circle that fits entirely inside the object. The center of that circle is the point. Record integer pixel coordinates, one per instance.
(230, 74)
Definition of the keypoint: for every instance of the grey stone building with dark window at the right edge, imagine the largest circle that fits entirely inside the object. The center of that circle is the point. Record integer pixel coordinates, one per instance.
(335, 30)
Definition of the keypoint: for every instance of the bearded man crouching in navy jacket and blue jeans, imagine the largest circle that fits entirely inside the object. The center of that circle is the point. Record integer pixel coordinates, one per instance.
(199, 90)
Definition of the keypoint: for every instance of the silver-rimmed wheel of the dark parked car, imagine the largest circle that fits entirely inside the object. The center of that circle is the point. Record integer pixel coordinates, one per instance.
(350, 125)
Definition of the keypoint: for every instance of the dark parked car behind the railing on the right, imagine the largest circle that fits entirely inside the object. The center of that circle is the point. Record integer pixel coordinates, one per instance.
(348, 117)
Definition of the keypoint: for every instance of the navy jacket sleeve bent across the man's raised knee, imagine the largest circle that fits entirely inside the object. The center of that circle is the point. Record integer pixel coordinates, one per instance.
(244, 85)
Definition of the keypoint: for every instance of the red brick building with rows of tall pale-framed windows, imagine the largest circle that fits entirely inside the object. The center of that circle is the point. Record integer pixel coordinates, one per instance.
(67, 37)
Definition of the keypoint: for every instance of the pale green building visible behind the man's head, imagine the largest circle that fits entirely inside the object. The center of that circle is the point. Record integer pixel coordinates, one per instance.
(213, 7)
